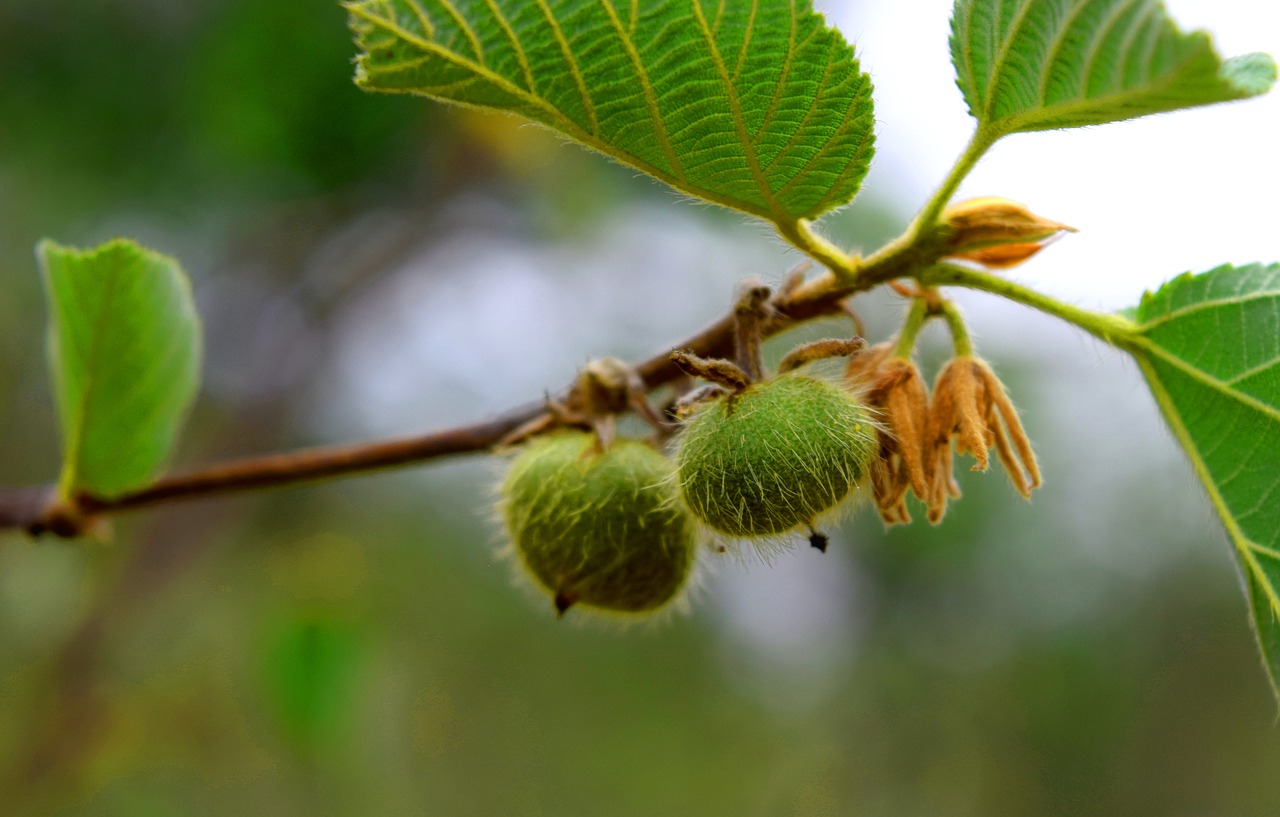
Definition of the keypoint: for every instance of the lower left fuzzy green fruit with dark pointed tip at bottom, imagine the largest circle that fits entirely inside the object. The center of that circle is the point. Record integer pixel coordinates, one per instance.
(605, 531)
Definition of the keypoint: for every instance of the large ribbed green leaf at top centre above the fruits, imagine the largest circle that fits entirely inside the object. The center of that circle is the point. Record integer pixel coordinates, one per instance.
(752, 104)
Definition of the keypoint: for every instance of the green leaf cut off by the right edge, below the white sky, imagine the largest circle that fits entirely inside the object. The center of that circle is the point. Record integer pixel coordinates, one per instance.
(1210, 349)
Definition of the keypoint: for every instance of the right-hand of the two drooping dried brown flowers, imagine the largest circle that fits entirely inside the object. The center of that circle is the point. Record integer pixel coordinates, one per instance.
(972, 410)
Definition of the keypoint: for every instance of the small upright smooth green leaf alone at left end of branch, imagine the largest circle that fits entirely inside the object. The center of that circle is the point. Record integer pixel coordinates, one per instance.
(125, 357)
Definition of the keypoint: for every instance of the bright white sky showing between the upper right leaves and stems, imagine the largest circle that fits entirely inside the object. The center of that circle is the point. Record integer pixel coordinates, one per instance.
(1153, 198)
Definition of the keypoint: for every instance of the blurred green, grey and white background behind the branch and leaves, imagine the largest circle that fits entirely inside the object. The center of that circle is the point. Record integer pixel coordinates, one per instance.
(377, 266)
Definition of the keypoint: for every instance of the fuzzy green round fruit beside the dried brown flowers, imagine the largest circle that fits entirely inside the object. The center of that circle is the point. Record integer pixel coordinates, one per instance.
(774, 457)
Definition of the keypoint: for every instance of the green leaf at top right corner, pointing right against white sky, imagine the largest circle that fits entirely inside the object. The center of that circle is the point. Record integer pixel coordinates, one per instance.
(1044, 65)
